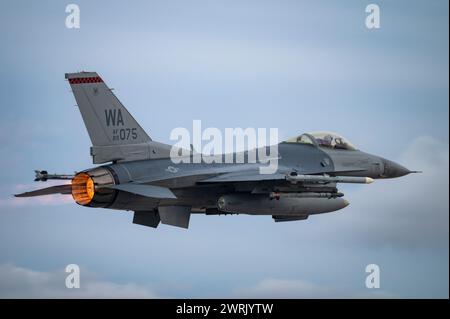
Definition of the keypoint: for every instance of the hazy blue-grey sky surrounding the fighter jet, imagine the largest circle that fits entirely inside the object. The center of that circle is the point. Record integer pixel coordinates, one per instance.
(298, 66)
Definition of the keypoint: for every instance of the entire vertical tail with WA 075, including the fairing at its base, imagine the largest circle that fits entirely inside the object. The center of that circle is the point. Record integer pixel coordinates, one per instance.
(114, 133)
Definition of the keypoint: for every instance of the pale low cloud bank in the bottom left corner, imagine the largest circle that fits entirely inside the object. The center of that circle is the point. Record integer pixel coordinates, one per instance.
(18, 282)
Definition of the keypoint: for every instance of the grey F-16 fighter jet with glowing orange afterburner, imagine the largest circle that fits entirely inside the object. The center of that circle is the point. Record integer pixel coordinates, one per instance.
(138, 174)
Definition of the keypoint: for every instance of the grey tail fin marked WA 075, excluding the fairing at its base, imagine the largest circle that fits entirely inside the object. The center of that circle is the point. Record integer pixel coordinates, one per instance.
(107, 121)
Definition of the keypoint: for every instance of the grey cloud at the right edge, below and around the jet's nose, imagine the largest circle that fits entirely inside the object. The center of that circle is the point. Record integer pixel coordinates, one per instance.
(409, 212)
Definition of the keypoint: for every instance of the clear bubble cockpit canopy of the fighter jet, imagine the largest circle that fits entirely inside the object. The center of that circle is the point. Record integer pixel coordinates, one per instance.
(323, 139)
